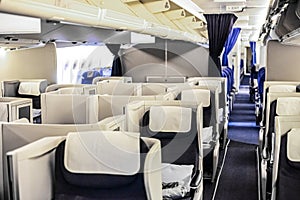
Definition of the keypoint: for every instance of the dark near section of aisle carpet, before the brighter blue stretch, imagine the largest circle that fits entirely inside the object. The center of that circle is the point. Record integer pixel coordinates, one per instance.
(238, 180)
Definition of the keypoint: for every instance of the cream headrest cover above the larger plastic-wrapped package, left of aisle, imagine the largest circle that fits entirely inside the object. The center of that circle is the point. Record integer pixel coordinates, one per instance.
(170, 119)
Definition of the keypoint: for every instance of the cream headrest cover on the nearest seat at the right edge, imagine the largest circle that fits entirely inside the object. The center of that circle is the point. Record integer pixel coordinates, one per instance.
(293, 145)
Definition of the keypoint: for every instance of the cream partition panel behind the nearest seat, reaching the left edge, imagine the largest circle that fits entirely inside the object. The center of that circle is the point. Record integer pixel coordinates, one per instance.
(14, 135)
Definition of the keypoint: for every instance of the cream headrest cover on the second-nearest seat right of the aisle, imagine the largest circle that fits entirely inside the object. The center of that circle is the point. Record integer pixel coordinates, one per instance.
(288, 106)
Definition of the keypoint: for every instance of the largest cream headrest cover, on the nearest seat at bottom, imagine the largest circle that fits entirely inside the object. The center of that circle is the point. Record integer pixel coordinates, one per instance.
(102, 152)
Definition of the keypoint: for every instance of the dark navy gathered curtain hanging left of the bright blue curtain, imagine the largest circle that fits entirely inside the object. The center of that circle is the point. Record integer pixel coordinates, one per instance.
(219, 27)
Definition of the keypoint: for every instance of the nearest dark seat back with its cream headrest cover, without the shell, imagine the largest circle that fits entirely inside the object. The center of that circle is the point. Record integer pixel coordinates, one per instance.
(83, 169)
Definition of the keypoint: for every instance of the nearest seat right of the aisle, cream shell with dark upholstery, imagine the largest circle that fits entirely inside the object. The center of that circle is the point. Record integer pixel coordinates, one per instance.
(286, 167)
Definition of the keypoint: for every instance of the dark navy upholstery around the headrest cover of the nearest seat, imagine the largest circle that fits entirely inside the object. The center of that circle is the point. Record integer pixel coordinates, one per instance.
(70, 186)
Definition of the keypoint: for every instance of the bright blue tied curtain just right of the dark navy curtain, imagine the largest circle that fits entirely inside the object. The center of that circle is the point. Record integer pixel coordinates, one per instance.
(230, 42)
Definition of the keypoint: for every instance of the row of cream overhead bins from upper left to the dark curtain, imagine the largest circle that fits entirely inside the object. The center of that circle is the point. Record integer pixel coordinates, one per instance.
(81, 13)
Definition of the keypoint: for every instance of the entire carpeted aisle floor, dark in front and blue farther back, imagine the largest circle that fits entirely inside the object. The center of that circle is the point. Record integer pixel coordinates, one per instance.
(238, 179)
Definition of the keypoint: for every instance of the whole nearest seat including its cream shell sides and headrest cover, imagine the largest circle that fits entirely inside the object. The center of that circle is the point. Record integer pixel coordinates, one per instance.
(91, 165)
